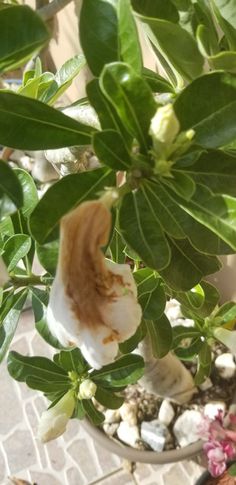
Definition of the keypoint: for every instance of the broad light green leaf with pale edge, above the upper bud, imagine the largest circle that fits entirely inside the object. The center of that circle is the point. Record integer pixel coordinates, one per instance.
(177, 46)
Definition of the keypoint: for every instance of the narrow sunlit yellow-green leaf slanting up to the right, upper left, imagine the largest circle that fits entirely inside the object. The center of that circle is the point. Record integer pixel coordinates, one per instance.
(63, 79)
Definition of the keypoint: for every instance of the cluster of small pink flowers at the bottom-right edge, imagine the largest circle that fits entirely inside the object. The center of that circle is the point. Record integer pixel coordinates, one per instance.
(219, 435)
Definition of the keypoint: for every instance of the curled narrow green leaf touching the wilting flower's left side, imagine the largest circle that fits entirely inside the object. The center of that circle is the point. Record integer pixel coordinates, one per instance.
(39, 303)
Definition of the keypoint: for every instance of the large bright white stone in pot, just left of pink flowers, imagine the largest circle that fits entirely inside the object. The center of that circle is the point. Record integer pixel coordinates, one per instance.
(186, 427)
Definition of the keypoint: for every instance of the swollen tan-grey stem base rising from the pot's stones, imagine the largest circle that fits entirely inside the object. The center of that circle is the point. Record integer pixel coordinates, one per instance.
(166, 377)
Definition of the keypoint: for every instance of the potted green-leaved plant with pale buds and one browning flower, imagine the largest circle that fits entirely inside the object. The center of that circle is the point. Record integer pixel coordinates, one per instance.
(146, 226)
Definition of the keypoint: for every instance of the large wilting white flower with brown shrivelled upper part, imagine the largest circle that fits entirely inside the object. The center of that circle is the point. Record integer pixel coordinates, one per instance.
(93, 302)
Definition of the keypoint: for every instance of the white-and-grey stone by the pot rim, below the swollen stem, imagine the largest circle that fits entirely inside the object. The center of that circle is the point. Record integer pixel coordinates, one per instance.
(154, 434)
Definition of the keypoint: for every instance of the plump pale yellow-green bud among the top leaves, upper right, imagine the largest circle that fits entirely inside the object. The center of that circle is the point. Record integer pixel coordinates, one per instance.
(164, 126)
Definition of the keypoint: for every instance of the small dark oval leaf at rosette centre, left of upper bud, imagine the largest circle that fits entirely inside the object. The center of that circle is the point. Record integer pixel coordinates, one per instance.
(111, 150)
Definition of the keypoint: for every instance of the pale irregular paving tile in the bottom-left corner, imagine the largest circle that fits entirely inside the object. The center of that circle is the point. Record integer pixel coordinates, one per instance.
(20, 451)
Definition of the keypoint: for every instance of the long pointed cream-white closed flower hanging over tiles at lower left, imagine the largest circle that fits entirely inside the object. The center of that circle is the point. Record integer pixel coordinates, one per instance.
(53, 422)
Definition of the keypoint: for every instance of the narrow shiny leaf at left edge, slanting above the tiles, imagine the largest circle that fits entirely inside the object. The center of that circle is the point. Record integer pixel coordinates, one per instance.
(10, 321)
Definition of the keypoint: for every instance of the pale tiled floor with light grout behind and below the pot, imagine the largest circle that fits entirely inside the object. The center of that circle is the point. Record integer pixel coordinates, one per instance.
(74, 459)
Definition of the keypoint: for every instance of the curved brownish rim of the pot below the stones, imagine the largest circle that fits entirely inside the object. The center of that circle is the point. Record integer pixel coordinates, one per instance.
(152, 457)
